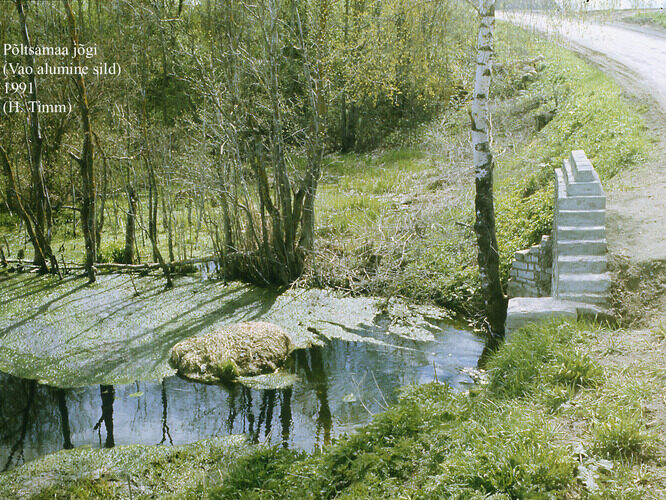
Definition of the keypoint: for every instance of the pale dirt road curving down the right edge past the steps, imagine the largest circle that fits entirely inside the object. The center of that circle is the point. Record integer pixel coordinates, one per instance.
(636, 217)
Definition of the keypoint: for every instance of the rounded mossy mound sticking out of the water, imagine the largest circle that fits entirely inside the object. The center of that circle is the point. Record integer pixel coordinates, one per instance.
(242, 349)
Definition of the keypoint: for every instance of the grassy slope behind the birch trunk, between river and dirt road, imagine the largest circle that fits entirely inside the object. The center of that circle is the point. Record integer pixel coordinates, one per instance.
(398, 222)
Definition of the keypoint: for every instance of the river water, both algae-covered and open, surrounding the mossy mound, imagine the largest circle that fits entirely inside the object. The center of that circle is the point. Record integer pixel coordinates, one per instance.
(89, 365)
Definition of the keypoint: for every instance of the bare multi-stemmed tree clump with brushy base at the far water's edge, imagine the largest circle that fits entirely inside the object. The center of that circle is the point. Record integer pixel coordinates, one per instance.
(267, 202)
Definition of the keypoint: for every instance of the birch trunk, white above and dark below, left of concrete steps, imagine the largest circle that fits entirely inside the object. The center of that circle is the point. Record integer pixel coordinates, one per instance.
(488, 258)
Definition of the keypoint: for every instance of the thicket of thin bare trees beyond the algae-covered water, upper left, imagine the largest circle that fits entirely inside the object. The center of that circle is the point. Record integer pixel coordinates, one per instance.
(223, 111)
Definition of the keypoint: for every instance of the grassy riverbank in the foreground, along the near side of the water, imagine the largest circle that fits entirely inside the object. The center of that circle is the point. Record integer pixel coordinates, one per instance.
(566, 411)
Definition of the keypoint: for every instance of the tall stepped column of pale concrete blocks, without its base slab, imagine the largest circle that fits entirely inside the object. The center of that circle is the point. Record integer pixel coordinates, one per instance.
(579, 234)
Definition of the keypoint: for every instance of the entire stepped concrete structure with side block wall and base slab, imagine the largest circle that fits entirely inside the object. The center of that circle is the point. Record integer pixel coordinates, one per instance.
(580, 281)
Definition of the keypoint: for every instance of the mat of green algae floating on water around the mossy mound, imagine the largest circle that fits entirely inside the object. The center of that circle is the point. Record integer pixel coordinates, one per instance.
(67, 333)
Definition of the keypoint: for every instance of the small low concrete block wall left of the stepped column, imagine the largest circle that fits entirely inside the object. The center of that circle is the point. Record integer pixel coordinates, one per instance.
(531, 271)
